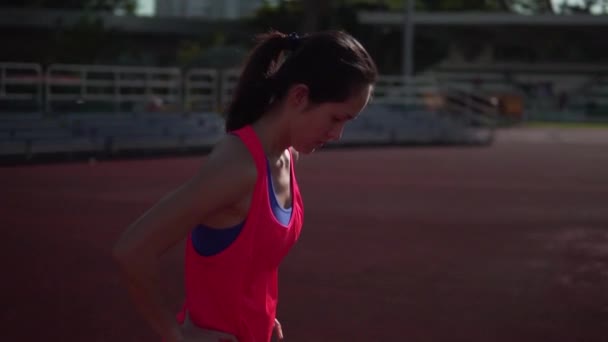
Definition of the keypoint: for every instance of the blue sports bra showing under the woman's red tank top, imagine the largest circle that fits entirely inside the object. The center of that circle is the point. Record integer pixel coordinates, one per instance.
(209, 241)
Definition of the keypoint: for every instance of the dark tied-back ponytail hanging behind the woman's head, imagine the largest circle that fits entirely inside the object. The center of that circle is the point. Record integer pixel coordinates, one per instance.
(254, 91)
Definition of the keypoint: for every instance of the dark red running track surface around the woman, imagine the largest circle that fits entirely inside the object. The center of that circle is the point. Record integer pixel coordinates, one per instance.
(505, 243)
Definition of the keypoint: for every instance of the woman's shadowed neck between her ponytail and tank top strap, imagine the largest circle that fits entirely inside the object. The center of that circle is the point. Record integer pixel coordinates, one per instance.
(272, 132)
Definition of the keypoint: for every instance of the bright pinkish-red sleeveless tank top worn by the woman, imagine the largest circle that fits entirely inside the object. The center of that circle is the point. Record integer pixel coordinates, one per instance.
(236, 290)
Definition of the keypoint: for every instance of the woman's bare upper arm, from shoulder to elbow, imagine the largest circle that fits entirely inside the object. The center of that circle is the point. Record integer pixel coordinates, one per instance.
(225, 177)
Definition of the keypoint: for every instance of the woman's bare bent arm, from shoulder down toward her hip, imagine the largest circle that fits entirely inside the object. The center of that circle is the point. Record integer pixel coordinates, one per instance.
(226, 176)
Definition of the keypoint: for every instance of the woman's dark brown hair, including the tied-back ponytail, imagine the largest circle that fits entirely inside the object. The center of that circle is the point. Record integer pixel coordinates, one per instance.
(333, 65)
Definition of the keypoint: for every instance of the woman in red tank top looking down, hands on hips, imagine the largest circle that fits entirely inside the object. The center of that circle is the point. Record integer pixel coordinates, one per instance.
(242, 212)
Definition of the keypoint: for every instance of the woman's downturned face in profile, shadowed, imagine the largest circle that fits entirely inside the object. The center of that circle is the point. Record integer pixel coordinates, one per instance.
(315, 125)
